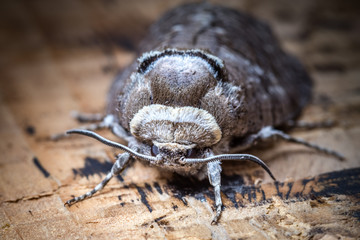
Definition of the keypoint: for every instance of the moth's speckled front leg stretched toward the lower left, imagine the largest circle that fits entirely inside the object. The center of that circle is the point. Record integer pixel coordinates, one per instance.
(116, 169)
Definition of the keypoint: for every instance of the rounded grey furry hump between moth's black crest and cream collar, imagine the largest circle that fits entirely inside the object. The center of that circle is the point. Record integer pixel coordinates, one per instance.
(182, 79)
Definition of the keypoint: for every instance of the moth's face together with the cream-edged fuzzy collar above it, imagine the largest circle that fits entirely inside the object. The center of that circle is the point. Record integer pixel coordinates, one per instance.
(174, 133)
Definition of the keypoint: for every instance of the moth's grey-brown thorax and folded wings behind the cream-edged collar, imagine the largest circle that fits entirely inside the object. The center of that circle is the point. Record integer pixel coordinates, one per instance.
(262, 85)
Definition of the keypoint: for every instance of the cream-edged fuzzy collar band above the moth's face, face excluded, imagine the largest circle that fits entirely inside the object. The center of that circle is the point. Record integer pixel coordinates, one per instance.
(181, 125)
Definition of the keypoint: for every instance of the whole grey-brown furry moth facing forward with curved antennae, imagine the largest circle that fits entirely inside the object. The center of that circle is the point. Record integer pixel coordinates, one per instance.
(208, 80)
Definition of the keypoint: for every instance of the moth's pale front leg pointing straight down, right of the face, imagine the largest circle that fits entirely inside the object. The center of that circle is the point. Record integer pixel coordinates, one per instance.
(214, 174)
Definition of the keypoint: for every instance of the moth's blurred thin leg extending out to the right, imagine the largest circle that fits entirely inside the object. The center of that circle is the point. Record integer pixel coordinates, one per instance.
(268, 132)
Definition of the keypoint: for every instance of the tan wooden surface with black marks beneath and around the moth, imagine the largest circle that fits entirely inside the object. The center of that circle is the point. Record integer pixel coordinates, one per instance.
(62, 56)
